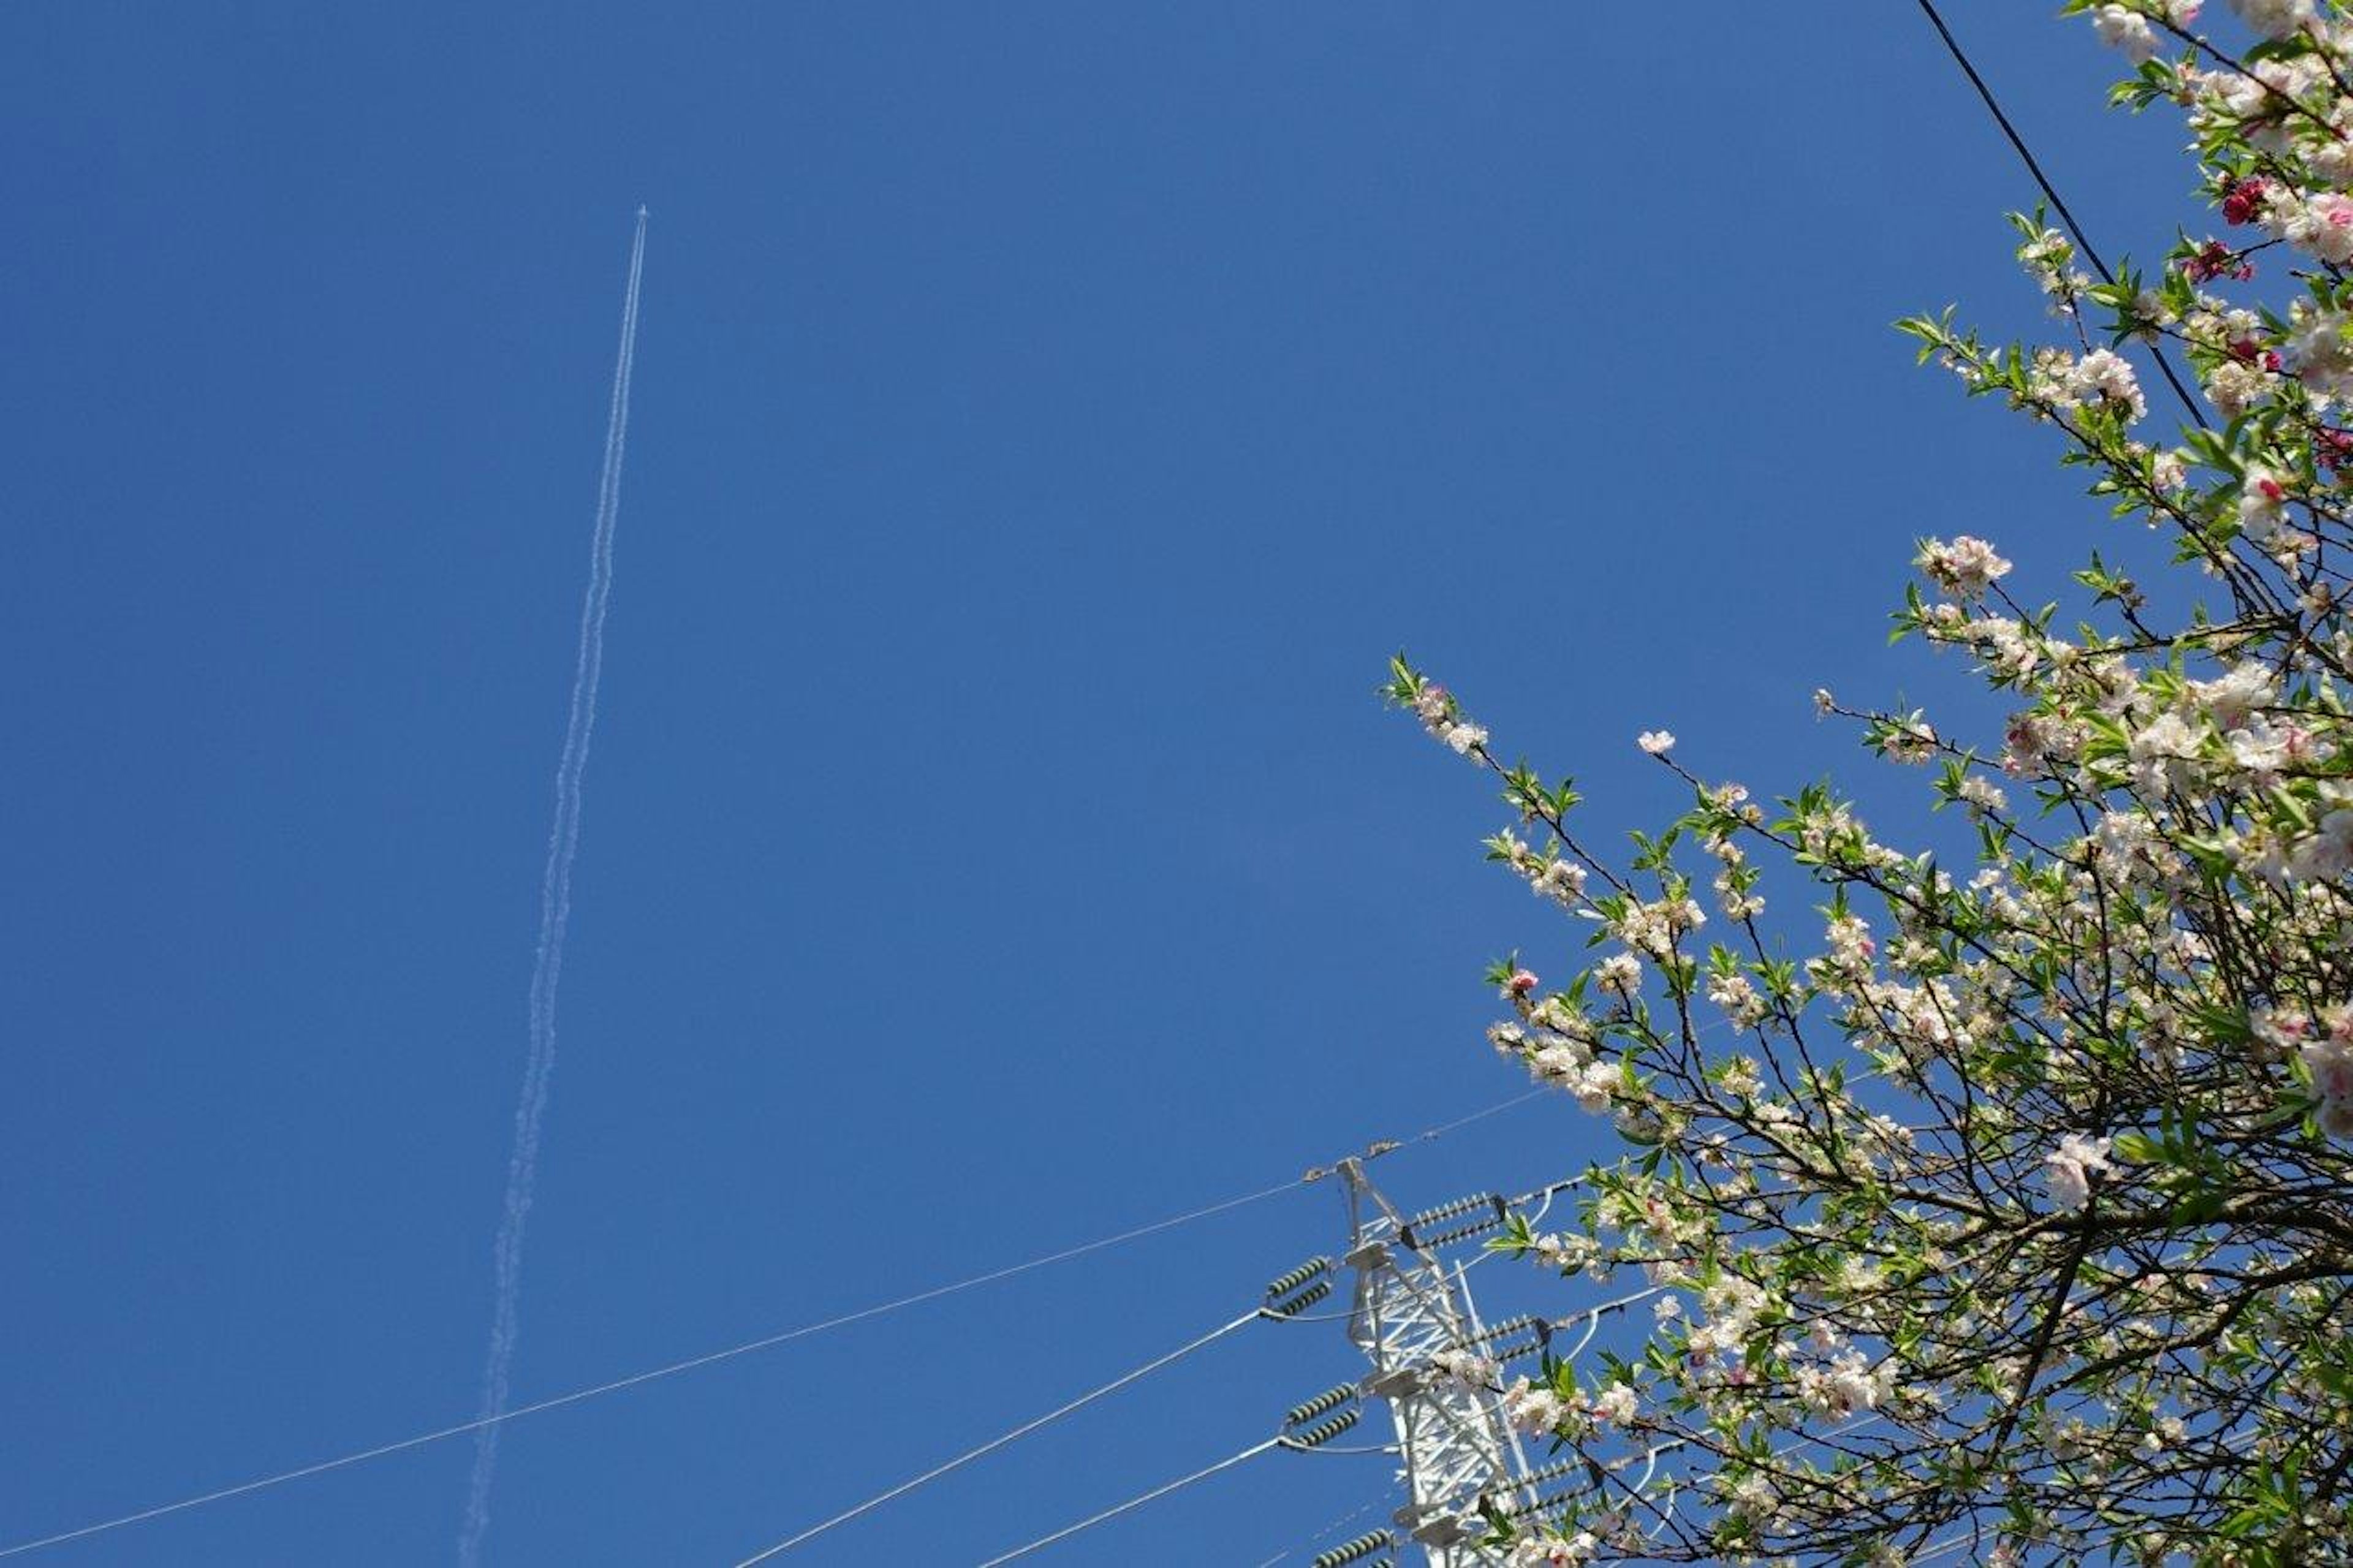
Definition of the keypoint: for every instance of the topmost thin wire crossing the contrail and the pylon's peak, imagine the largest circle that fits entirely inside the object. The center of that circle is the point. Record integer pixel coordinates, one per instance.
(691, 1364)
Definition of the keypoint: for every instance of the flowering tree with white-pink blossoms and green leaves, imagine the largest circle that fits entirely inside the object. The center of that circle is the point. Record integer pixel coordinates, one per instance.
(2013, 1221)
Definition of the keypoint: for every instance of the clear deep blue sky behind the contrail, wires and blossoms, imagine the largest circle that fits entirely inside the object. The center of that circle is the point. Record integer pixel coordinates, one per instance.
(1048, 420)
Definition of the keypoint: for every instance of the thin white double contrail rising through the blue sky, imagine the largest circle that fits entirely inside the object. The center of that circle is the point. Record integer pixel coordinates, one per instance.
(554, 912)
